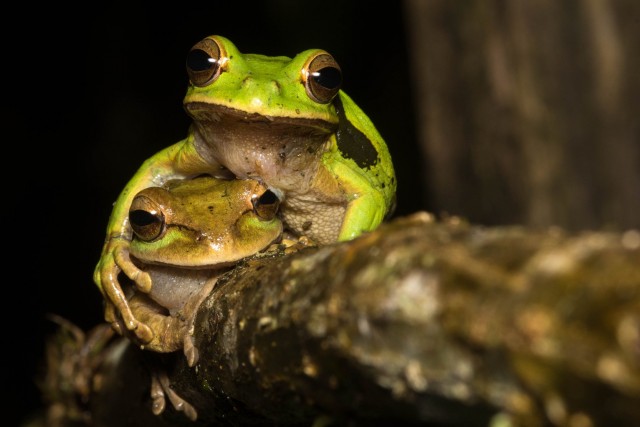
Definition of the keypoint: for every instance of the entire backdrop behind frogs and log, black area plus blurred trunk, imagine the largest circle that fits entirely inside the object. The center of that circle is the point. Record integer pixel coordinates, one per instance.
(502, 112)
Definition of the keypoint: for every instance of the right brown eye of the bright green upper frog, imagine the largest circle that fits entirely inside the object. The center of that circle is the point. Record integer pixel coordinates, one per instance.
(322, 78)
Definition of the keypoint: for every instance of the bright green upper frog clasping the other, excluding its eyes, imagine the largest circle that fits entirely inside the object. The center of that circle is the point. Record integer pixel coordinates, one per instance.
(326, 161)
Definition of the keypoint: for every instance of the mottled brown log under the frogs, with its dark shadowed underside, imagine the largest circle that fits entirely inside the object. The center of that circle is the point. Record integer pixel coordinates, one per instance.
(424, 322)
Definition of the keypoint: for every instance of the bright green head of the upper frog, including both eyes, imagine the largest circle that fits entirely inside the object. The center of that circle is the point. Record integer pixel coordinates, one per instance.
(230, 86)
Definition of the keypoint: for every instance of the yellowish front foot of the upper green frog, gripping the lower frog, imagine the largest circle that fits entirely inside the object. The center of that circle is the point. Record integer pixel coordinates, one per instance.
(107, 275)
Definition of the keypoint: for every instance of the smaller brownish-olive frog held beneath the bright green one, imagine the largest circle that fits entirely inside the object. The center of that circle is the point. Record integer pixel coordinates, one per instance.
(185, 235)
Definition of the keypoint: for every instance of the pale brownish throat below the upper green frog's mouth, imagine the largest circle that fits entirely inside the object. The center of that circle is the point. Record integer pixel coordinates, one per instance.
(281, 151)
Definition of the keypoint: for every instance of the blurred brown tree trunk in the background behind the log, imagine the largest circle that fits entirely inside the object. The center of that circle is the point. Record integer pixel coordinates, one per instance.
(528, 110)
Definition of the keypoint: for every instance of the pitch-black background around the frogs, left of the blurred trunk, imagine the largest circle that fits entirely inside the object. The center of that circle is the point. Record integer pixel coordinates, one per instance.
(92, 92)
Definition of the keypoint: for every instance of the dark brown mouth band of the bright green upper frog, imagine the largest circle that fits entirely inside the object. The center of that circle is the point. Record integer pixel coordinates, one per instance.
(220, 114)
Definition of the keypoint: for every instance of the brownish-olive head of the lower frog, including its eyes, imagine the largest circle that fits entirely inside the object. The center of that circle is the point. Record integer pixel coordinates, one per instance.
(203, 223)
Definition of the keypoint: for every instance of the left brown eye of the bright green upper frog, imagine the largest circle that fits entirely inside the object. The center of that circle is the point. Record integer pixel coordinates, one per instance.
(205, 62)
